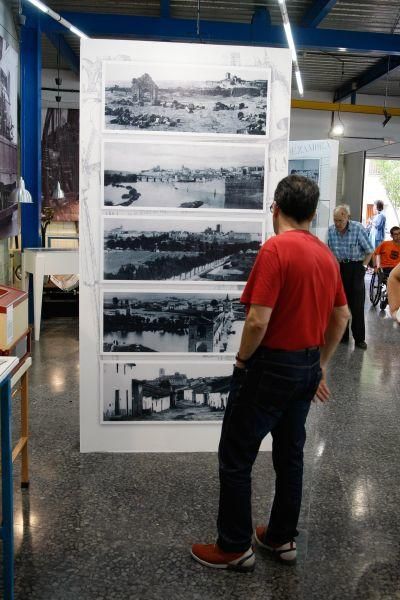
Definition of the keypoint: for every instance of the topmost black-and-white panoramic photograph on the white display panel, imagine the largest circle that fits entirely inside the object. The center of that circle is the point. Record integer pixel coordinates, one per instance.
(186, 98)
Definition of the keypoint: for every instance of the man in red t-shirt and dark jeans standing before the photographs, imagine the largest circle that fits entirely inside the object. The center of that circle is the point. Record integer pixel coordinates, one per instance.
(296, 315)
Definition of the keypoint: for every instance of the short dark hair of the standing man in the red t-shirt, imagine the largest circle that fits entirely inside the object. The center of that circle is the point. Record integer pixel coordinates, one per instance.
(297, 197)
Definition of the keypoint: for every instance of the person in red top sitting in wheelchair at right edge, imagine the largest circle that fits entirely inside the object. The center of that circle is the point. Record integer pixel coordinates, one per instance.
(385, 258)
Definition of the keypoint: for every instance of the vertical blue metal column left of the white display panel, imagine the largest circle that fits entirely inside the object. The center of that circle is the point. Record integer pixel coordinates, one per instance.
(31, 118)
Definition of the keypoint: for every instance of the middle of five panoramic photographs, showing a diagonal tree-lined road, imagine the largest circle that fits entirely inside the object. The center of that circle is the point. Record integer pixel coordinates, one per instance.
(167, 249)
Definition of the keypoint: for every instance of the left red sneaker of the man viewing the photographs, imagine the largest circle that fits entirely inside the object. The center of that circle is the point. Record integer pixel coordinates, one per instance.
(212, 556)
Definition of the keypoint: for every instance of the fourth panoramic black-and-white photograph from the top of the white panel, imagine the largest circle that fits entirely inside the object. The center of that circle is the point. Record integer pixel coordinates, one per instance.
(172, 322)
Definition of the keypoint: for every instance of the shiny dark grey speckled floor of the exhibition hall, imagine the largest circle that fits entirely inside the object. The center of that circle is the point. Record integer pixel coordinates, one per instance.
(118, 527)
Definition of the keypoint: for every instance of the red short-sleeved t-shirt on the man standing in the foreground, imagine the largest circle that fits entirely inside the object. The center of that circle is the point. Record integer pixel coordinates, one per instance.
(297, 276)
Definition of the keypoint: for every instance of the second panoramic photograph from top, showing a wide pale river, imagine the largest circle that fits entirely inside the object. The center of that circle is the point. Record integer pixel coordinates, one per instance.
(184, 176)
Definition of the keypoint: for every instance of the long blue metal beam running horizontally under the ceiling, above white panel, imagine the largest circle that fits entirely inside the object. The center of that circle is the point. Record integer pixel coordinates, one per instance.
(167, 29)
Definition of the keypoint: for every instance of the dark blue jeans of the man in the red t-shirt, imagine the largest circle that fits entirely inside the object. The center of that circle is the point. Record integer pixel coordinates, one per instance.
(272, 395)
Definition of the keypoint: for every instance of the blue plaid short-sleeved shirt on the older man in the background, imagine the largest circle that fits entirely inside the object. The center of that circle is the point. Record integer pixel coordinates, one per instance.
(354, 244)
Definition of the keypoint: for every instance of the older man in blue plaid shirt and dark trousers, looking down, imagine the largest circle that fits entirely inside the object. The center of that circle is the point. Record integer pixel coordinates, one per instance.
(352, 247)
